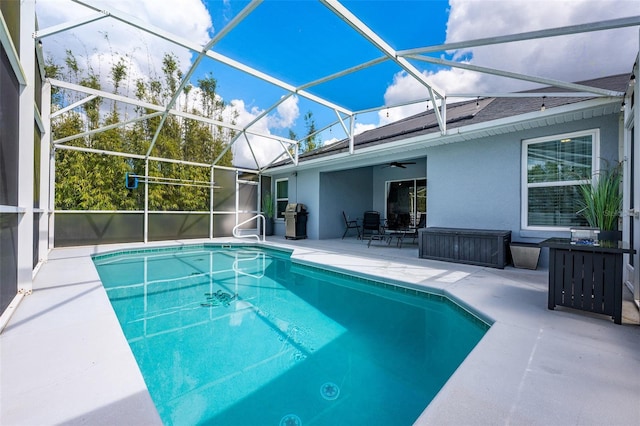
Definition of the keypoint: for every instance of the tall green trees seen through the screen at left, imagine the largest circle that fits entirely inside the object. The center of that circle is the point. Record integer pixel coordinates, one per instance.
(89, 181)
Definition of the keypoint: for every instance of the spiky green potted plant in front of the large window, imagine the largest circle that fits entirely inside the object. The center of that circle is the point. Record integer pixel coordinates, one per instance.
(601, 202)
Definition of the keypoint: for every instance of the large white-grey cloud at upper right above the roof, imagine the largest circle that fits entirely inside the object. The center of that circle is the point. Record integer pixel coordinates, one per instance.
(568, 58)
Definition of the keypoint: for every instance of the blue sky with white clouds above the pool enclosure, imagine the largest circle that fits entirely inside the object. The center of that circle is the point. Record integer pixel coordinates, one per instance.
(301, 41)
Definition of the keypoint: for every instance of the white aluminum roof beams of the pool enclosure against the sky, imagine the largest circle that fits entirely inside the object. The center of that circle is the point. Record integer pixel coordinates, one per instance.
(437, 96)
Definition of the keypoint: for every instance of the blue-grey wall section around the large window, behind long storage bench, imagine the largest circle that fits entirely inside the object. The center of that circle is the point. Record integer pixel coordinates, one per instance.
(477, 184)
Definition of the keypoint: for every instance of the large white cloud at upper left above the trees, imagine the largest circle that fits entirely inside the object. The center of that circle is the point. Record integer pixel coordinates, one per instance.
(99, 43)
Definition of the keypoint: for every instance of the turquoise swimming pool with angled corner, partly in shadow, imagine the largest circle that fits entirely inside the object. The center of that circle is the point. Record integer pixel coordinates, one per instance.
(242, 335)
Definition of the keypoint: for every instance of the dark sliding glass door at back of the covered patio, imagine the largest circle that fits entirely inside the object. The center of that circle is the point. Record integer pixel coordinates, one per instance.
(406, 202)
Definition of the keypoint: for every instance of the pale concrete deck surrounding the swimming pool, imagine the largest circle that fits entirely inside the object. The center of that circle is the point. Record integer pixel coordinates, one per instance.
(64, 359)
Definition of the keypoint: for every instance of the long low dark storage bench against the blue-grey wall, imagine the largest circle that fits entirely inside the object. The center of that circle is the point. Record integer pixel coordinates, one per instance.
(474, 246)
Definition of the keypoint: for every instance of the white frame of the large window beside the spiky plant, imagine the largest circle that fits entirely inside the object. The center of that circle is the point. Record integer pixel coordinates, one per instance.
(525, 185)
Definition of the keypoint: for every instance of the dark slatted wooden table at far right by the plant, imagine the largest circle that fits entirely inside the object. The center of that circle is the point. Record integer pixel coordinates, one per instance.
(586, 277)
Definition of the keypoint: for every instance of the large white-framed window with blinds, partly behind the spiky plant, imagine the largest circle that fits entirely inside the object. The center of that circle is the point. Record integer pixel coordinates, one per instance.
(553, 169)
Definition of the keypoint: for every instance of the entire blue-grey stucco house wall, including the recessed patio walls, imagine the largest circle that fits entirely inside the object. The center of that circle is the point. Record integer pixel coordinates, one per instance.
(473, 184)
